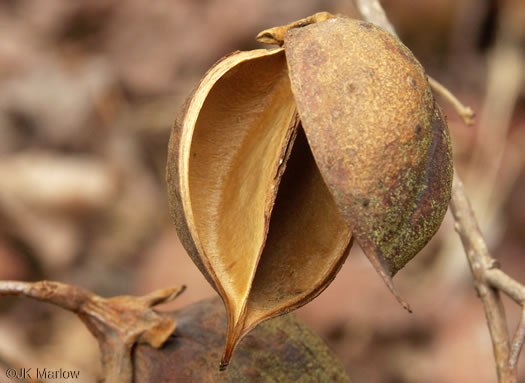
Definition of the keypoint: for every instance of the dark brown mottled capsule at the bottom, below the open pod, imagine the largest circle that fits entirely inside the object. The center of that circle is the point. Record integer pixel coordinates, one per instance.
(284, 350)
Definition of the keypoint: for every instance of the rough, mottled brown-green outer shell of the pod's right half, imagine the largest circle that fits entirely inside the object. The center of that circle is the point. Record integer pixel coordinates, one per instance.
(377, 135)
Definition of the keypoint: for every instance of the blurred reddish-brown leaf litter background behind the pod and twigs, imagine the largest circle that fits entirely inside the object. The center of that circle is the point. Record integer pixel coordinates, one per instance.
(88, 93)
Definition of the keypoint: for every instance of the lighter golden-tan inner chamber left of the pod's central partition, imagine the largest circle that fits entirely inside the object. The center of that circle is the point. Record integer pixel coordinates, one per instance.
(235, 153)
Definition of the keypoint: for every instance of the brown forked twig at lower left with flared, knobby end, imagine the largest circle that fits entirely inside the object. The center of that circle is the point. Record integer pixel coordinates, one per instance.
(118, 323)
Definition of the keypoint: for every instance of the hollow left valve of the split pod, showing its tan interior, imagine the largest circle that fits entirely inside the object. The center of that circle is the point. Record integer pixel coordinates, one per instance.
(268, 240)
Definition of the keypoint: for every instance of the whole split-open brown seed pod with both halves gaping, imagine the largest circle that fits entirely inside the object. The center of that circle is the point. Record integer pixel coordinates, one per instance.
(281, 156)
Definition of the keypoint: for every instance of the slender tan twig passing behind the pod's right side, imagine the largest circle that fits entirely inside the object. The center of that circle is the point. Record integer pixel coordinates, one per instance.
(488, 279)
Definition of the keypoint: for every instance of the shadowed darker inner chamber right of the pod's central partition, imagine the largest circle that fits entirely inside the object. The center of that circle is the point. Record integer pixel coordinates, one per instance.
(306, 241)
